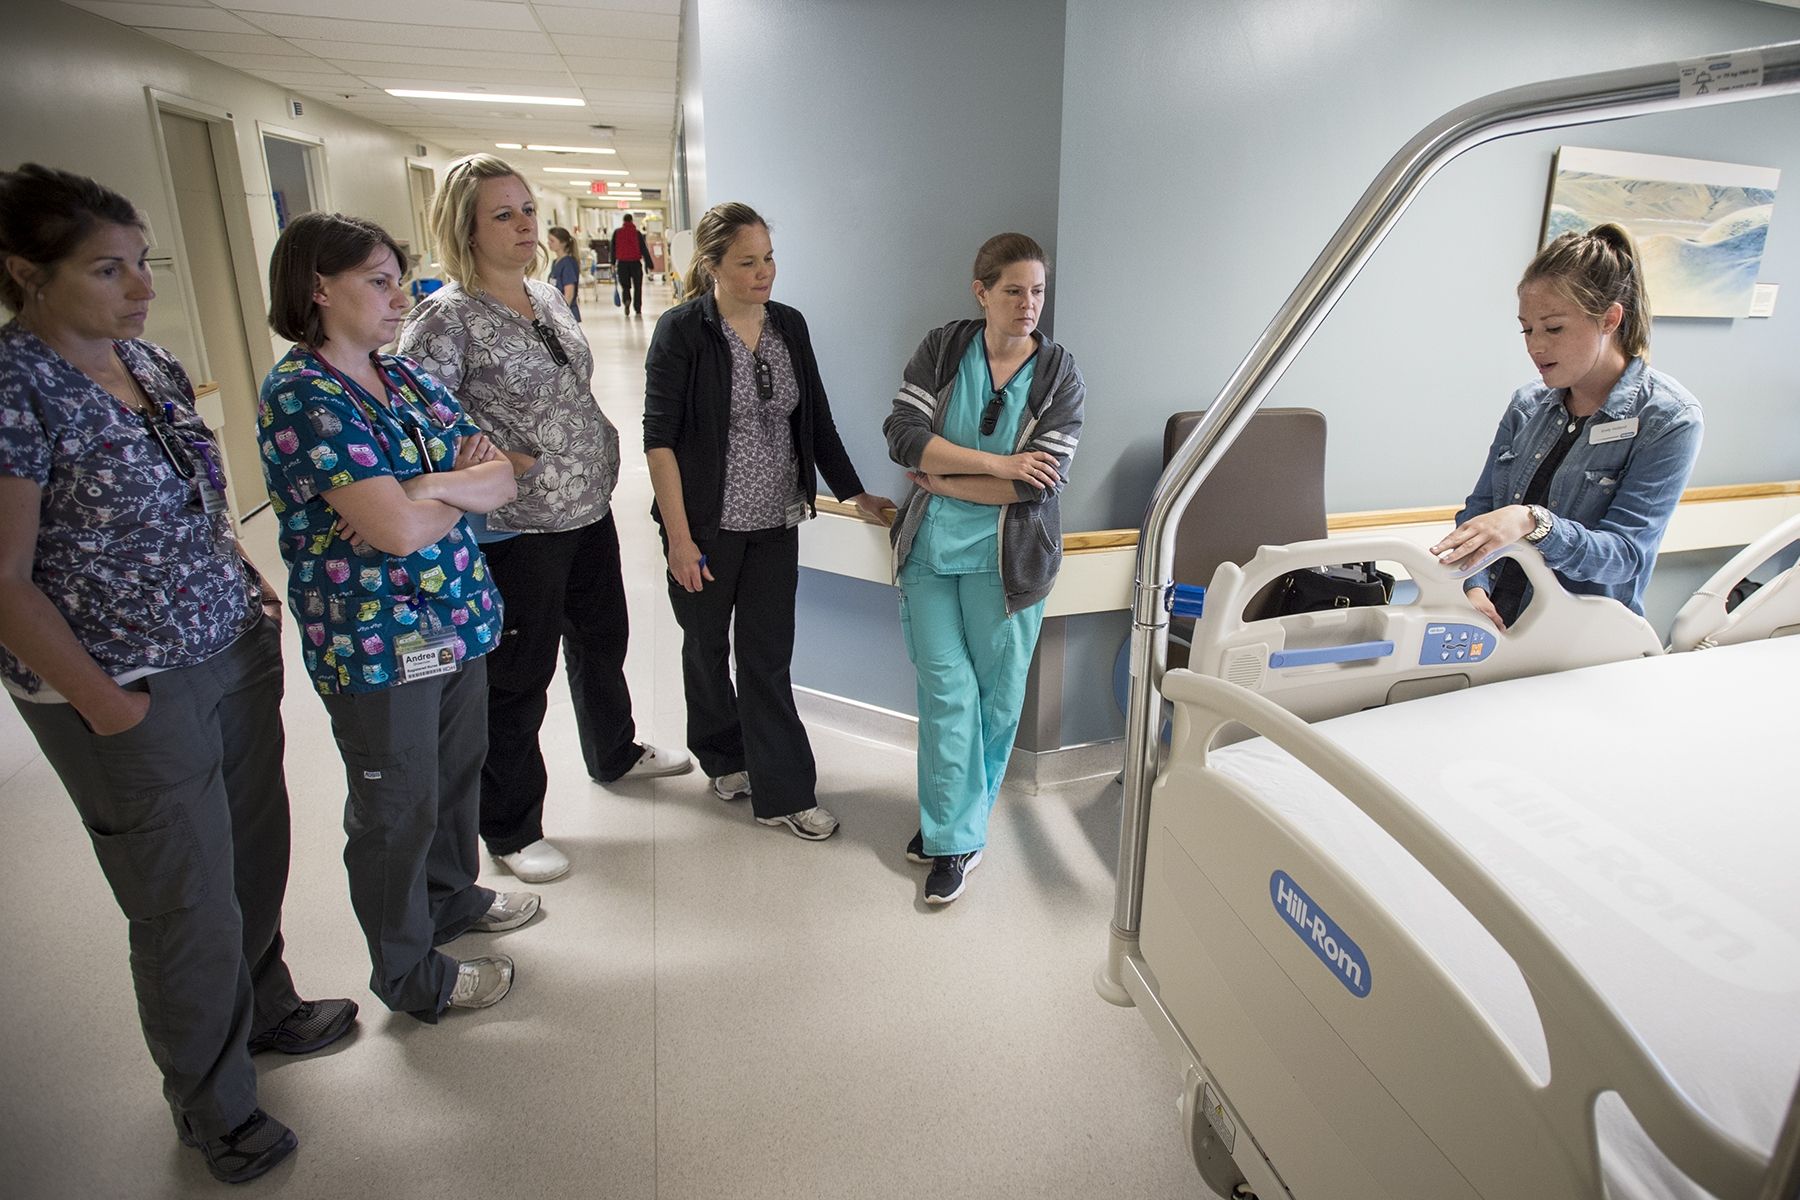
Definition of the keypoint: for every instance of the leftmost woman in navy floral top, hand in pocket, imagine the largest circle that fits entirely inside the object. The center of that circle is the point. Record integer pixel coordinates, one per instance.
(143, 652)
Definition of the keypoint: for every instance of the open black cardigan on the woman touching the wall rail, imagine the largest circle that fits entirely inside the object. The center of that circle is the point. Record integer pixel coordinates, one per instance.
(688, 409)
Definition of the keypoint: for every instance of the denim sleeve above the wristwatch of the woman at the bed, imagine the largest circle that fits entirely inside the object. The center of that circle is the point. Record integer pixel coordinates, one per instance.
(1624, 541)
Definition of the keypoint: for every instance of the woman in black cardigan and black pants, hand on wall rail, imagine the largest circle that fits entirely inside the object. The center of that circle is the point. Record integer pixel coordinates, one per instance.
(737, 429)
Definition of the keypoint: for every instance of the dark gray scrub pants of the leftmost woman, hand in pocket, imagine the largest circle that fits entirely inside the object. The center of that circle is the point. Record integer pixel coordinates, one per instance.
(188, 814)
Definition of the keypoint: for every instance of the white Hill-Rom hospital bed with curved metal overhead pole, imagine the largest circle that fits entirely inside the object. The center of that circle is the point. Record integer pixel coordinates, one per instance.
(1529, 938)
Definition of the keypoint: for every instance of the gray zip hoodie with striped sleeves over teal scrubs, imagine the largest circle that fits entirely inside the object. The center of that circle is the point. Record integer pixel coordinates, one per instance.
(1030, 530)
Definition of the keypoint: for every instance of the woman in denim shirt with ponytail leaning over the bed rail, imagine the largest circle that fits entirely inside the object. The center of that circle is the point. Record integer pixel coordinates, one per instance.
(1588, 463)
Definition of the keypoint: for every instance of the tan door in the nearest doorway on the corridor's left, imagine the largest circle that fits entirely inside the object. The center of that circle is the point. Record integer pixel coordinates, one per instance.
(201, 210)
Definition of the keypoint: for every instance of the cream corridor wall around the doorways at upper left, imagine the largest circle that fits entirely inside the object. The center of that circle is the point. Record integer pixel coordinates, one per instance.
(73, 96)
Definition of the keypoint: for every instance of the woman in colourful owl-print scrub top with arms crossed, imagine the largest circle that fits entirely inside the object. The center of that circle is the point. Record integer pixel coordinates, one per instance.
(372, 467)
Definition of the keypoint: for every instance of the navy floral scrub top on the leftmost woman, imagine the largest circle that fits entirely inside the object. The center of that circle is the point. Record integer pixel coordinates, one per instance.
(143, 575)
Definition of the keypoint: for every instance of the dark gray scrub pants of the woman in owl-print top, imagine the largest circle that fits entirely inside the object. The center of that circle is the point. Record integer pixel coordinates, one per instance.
(413, 758)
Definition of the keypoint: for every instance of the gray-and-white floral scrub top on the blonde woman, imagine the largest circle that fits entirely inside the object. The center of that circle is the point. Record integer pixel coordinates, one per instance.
(510, 382)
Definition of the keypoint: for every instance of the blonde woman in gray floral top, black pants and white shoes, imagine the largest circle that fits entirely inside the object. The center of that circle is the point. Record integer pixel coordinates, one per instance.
(514, 355)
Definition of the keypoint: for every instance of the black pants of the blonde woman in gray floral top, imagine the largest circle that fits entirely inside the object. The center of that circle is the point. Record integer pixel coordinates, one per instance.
(561, 589)
